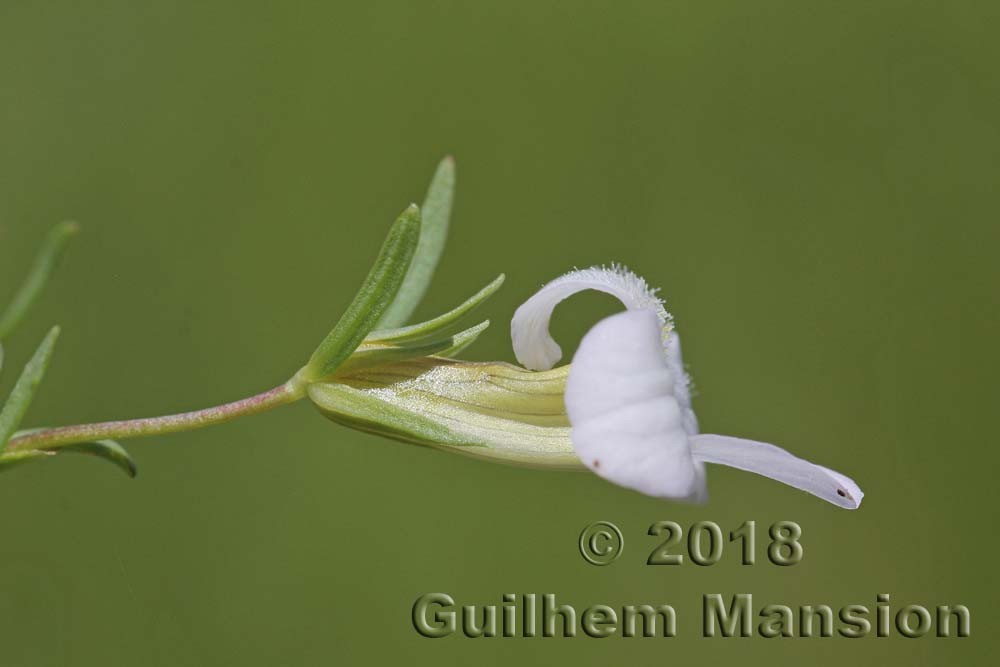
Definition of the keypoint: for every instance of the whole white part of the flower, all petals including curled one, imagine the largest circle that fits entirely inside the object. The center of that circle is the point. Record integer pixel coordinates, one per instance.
(629, 404)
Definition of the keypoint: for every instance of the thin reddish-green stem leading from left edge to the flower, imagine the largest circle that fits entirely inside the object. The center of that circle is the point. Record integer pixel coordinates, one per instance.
(50, 438)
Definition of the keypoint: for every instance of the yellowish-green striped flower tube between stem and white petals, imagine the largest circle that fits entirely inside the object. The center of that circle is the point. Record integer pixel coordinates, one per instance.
(488, 410)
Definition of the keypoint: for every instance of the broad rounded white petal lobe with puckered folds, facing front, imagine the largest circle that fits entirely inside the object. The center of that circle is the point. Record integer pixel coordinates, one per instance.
(627, 425)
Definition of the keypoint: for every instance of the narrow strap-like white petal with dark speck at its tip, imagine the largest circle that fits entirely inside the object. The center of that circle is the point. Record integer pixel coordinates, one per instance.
(773, 462)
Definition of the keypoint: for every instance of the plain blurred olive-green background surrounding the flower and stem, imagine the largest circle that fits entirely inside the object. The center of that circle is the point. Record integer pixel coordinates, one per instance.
(814, 185)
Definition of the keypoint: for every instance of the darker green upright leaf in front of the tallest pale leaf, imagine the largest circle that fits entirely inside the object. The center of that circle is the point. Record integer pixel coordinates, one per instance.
(377, 292)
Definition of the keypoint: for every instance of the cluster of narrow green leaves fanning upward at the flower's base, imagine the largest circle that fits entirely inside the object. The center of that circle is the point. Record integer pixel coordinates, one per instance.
(392, 290)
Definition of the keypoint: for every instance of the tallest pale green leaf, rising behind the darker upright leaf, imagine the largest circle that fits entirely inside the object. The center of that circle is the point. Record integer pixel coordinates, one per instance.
(436, 213)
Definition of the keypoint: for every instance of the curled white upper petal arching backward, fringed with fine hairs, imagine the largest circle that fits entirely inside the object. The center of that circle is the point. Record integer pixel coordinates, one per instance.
(529, 328)
